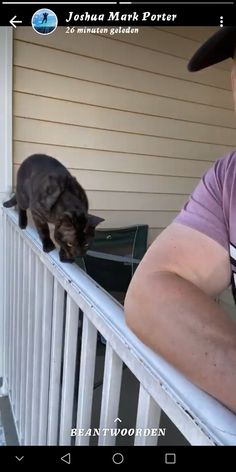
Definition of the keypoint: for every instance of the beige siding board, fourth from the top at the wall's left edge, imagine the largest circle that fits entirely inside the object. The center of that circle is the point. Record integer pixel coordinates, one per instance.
(41, 108)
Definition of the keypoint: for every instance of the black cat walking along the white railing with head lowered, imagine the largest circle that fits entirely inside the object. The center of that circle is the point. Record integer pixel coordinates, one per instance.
(53, 195)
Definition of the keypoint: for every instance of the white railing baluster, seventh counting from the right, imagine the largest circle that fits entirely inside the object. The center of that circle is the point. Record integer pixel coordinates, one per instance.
(37, 350)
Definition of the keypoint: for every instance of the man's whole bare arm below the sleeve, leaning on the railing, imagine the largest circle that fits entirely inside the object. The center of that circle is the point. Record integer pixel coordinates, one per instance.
(170, 306)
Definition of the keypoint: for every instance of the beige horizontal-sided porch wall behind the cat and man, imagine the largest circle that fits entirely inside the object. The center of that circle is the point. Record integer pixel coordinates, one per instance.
(124, 115)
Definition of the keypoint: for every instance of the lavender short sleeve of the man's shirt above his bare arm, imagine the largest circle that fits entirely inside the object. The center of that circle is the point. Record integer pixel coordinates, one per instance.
(204, 210)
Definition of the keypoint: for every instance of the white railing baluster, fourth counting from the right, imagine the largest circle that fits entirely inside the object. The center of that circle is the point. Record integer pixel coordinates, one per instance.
(69, 364)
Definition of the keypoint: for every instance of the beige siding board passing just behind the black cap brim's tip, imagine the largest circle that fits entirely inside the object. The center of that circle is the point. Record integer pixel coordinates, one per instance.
(129, 55)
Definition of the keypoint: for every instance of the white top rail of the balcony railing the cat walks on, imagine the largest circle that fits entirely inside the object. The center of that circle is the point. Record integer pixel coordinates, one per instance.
(180, 399)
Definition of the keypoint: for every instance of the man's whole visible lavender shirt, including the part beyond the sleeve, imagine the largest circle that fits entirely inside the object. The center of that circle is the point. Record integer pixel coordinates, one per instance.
(211, 208)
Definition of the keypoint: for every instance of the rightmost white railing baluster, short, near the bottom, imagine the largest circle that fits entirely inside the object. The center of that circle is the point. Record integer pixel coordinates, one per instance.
(148, 416)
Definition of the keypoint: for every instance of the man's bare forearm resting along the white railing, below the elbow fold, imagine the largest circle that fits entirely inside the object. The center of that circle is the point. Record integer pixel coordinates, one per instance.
(188, 329)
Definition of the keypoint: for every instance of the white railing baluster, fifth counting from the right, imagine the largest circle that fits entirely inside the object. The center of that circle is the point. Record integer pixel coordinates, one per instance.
(56, 364)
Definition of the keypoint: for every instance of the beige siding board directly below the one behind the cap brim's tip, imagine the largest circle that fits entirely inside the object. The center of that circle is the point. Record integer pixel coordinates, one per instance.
(66, 64)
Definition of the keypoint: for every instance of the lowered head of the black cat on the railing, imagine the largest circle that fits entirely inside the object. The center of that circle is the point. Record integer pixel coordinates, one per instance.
(74, 233)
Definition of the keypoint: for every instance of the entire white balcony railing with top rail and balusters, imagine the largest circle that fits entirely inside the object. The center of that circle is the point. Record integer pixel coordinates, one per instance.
(44, 304)
